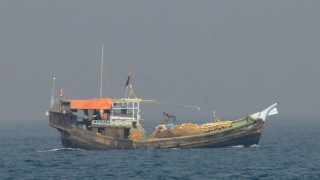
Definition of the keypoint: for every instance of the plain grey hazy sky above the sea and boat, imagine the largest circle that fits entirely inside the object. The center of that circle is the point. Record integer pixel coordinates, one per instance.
(233, 56)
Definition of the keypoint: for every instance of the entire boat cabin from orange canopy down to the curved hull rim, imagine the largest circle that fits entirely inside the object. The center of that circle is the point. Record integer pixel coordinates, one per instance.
(113, 117)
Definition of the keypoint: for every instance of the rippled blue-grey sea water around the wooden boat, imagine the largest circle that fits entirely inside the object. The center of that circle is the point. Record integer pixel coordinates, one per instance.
(289, 149)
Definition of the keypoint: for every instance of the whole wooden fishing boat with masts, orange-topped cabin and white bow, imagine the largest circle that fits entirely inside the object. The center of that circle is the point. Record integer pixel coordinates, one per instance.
(105, 123)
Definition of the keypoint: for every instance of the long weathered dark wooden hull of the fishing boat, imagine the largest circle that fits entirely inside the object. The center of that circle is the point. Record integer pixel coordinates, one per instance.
(74, 136)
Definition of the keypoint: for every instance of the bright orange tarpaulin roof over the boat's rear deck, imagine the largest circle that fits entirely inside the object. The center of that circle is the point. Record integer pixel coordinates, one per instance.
(98, 103)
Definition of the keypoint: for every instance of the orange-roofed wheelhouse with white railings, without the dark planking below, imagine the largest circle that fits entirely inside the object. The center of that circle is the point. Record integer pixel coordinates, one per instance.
(104, 111)
